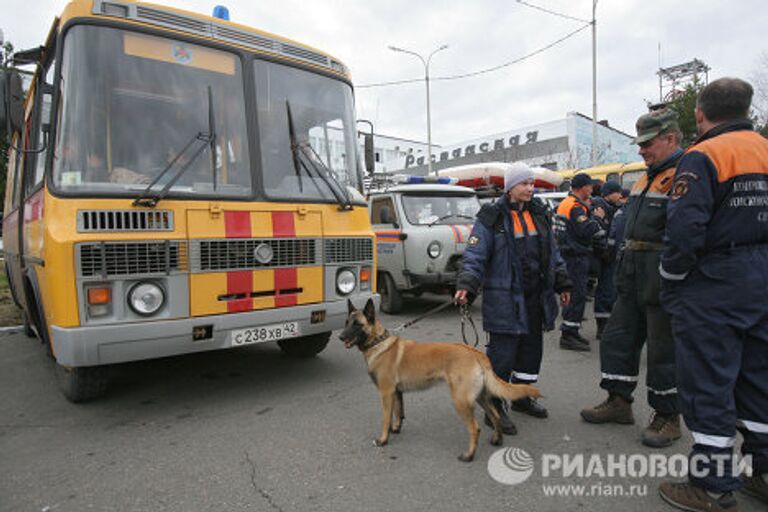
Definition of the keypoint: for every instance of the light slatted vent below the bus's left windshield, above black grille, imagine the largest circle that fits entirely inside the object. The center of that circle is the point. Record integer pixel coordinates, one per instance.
(111, 221)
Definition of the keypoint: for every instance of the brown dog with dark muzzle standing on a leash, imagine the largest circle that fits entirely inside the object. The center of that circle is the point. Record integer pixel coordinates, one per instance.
(396, 365)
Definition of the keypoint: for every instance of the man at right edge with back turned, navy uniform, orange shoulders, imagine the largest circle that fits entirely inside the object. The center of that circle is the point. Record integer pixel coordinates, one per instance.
(715, 271)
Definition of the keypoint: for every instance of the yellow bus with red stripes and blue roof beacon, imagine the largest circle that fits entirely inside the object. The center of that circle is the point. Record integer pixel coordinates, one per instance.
(179, 183)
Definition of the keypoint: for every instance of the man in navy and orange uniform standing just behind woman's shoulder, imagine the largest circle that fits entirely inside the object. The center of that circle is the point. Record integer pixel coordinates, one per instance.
(576, 230)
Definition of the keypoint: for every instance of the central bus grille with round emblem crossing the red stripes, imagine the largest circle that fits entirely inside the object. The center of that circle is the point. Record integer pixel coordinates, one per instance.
(231, 255)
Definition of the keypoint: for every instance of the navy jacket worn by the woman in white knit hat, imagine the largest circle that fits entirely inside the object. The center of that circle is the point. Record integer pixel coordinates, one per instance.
(491, 261)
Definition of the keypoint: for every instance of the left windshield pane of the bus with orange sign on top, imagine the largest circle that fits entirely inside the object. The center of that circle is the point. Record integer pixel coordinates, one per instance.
(134, 107)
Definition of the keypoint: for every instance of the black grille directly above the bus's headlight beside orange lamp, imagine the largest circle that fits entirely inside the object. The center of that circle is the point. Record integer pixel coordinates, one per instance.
(108, 259)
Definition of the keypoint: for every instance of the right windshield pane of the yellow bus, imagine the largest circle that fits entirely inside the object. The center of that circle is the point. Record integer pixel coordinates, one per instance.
(307, 135)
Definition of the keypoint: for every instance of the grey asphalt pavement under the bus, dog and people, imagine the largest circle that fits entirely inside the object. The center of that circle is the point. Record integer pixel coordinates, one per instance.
(251, 430)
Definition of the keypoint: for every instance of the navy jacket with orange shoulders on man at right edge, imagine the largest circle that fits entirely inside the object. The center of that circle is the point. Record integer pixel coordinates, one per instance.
(719, 201)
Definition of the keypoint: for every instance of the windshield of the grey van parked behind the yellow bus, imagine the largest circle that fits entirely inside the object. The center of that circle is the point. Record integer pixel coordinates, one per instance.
(440, 209)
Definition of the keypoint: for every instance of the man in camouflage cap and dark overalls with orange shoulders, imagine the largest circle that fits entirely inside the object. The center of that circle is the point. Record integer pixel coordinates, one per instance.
(637, 318)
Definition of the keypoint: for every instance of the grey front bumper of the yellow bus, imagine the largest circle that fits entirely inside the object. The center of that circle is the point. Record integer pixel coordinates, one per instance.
(120, 343)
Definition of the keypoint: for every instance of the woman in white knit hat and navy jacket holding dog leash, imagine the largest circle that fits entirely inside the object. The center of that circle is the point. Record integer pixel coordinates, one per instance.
(513, 256)
